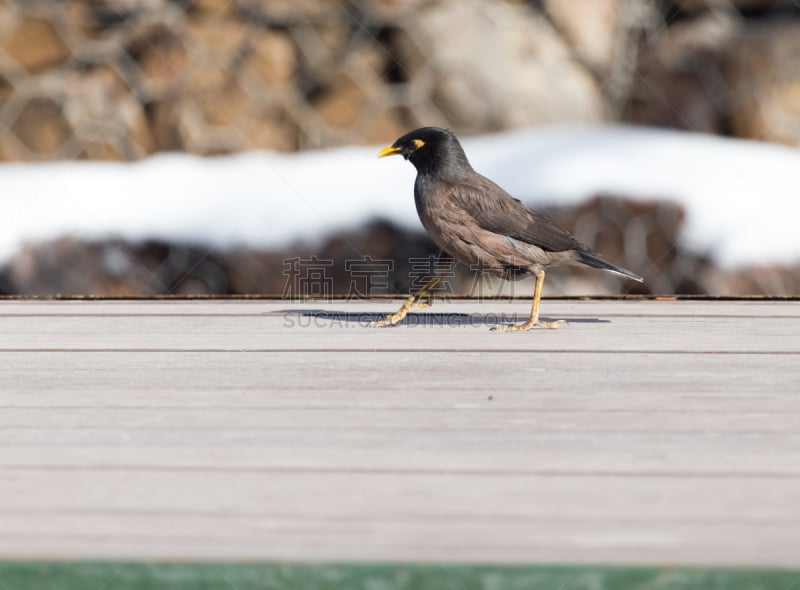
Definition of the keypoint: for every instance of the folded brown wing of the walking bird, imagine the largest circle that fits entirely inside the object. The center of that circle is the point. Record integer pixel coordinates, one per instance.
(497, 211)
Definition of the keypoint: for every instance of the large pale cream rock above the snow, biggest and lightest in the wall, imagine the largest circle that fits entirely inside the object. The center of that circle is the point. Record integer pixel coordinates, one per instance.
(500, 66)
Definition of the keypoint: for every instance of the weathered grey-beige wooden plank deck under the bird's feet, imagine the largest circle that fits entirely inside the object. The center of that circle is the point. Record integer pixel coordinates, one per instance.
(645, 432)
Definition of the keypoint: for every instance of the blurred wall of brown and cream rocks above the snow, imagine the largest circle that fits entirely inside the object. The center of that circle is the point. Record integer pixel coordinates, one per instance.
(124, 78)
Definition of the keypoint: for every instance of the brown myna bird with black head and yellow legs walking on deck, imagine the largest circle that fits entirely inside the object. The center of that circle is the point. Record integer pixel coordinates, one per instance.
(479, 224)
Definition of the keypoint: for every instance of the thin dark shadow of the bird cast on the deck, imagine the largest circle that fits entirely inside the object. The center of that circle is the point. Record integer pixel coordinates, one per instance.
(429, 319)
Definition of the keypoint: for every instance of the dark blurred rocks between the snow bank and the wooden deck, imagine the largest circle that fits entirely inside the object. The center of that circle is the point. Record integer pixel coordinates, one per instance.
(642, 236)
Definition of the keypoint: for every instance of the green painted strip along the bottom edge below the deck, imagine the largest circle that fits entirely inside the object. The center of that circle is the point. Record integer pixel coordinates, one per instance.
(248, 576)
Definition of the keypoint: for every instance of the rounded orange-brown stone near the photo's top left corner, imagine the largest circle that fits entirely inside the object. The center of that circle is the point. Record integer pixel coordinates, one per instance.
(35, 45)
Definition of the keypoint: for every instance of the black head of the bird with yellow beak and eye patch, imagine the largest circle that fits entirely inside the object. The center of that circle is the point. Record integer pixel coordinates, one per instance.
(432, 151)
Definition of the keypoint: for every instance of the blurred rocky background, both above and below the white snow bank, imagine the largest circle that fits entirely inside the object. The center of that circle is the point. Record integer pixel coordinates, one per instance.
(123, 79)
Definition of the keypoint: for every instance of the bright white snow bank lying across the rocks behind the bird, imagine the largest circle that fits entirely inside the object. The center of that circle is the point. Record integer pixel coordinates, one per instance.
(742, 197)
